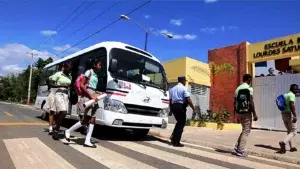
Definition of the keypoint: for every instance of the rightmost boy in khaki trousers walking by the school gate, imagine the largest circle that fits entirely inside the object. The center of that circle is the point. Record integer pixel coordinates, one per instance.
(289, 118)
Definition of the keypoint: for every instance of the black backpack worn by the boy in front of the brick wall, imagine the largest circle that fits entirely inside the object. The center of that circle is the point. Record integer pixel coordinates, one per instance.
(243, 101)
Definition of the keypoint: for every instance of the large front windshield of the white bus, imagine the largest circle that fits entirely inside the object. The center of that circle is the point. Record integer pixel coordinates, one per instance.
(136, 68)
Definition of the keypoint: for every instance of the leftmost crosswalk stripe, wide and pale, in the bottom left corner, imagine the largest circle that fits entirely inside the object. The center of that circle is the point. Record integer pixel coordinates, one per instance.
(31, 153)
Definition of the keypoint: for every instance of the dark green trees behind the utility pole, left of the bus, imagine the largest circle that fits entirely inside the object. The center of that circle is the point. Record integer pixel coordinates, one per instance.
(14, 87)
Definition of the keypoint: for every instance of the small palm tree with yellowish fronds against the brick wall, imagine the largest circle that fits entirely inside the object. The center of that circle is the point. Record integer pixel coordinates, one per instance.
(214, 71)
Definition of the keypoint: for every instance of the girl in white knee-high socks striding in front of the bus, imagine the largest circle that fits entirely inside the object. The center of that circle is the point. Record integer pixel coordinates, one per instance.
(90, 112)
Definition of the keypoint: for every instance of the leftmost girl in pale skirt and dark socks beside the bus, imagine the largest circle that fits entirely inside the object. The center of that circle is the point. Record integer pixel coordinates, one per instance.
(62, 81)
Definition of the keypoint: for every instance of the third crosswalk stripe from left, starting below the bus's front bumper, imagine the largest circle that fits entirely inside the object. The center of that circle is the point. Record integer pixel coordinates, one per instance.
(172, 158)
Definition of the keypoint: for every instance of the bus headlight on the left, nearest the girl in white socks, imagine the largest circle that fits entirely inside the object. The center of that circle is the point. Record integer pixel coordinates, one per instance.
(114, 106)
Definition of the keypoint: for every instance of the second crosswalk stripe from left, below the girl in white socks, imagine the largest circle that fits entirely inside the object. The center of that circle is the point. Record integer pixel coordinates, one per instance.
(109, 158)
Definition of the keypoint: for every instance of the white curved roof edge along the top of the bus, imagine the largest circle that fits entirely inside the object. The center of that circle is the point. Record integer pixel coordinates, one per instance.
(108, 44)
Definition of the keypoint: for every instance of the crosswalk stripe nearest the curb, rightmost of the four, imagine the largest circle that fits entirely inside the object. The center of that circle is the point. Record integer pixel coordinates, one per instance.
(224, 158)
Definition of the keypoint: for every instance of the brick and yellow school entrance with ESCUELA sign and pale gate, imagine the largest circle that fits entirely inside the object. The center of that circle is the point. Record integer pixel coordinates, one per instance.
(285, 52)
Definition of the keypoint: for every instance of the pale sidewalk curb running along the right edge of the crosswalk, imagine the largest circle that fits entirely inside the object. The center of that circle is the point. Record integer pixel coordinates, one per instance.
(230, 149)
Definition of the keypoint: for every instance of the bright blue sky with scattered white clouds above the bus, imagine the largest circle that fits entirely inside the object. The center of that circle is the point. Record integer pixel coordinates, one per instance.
(197, 26)
